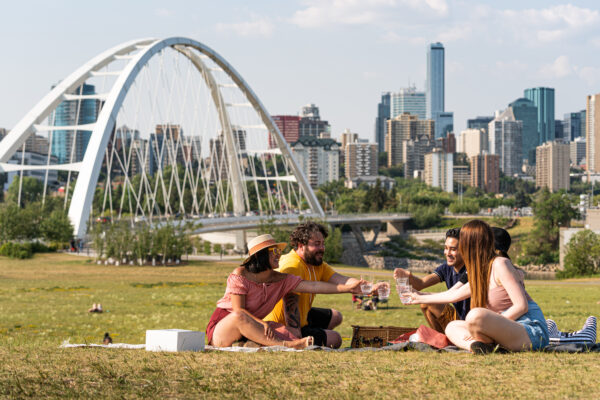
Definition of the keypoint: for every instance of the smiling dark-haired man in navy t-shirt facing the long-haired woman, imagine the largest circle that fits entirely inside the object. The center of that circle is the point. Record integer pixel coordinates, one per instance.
(439, 315)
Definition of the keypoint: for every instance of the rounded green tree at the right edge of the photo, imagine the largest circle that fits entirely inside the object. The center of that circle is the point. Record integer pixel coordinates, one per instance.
(582, 255)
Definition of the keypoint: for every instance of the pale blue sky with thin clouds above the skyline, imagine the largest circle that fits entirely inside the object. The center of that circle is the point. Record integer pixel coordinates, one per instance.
(338, 54)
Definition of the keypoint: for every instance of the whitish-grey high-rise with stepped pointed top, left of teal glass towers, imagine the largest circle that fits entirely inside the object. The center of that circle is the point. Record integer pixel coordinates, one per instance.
(506, 141)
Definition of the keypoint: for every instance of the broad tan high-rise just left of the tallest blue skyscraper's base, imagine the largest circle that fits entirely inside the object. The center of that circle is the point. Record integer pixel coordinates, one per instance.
(401, 128)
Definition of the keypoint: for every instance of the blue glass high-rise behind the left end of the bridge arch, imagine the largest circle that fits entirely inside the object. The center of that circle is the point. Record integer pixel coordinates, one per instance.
(70, 145)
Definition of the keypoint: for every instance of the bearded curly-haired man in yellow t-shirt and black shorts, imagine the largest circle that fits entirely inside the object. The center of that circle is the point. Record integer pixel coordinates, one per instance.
(306, 261)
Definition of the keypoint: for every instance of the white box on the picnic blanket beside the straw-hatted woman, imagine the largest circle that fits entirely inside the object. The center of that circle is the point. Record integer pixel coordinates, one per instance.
(174, 340)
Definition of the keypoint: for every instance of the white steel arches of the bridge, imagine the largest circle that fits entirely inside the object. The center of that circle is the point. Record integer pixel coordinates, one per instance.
(89, 168)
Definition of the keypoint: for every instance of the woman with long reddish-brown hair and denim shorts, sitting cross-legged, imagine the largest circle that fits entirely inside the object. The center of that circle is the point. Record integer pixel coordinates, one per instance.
(502, 311)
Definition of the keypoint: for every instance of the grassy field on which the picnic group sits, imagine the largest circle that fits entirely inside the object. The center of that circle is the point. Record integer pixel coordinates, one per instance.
(44, 302)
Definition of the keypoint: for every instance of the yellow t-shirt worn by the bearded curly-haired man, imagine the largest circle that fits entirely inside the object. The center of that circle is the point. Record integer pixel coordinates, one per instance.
(291, 263)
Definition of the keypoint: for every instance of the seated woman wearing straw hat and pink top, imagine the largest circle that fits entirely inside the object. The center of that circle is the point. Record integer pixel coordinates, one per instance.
(252, 291)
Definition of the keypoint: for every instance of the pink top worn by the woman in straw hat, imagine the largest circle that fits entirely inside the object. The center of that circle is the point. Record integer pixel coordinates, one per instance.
(260, 297)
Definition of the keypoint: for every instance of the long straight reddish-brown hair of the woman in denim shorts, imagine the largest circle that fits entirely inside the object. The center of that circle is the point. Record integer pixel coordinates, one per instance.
(476, 246)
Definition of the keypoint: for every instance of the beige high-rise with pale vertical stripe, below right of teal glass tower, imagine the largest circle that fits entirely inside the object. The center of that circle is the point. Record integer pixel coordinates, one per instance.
(552, 166)
